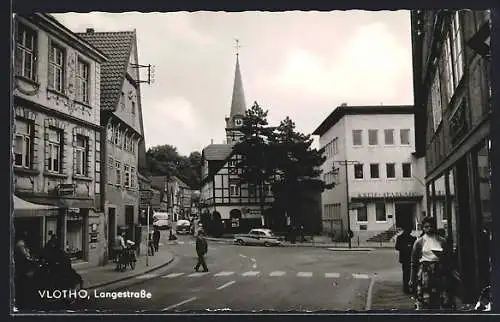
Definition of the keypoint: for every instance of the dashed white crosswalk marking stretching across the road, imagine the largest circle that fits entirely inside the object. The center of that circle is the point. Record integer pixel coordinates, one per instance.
(254, 273)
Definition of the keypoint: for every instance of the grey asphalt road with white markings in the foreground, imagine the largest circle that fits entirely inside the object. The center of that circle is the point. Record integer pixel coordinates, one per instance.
(254, 278)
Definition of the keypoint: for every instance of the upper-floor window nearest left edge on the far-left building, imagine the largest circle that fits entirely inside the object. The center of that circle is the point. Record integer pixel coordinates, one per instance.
(25, 52)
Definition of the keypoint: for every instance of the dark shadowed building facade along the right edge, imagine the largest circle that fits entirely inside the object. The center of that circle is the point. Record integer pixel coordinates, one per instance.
(452, 93)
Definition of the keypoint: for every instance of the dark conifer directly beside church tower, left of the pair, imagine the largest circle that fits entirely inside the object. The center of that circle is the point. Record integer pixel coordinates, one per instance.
(256, 156)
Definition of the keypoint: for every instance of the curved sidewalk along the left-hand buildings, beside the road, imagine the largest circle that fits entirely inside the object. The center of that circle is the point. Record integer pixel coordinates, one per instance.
(96, 277)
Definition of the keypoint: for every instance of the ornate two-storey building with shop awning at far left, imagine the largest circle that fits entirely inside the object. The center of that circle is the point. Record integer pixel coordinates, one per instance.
(57, 138)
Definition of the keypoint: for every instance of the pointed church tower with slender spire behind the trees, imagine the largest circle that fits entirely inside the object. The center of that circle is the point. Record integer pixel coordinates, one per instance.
(238, 106)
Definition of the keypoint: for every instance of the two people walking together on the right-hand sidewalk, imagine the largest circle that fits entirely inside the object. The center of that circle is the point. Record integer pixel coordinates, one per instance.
(425, 263)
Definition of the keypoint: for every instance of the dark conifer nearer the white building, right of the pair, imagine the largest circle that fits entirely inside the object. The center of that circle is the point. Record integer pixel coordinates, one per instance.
(297, 169)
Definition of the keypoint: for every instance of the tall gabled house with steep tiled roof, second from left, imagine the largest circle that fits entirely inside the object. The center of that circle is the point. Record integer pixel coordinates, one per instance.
(121, 115)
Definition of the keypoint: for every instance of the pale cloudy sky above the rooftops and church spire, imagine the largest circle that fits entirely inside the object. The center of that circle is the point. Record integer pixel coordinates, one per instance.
(297, 64)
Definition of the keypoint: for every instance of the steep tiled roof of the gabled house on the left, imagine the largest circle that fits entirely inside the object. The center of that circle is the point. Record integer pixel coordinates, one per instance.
(117, 46)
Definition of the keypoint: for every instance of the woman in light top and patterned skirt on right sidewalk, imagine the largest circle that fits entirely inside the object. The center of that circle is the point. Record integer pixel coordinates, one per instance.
(429, 259)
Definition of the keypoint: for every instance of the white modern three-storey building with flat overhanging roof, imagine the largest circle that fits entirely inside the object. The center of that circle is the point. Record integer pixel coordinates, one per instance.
(371, 148)
